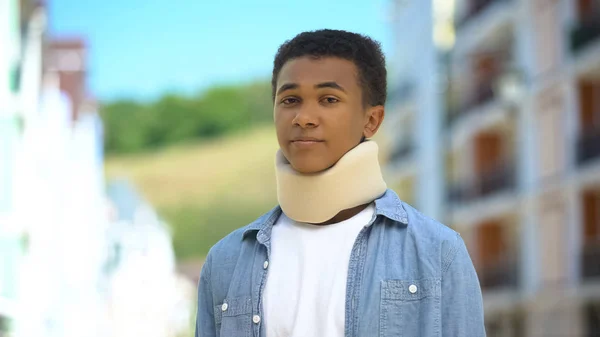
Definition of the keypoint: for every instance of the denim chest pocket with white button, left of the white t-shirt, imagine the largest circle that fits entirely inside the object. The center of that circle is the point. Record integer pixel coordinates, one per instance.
(233, 317)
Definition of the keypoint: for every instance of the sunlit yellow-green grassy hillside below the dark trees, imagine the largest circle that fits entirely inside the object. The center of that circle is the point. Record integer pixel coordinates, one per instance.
(205, 190)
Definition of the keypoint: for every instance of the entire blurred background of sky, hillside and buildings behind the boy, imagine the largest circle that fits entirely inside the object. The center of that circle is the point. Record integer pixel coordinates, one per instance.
(134, 135)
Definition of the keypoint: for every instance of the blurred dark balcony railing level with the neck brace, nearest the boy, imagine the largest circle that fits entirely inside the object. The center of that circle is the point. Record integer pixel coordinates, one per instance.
(501, 178)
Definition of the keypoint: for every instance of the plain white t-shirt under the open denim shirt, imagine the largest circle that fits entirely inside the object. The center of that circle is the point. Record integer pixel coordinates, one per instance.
(305, 291)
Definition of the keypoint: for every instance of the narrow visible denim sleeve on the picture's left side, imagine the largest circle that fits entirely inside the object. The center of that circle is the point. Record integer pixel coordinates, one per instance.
(205, 321)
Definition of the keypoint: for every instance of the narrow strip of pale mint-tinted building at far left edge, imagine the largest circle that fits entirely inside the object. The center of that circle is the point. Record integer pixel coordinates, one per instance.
(17, 32)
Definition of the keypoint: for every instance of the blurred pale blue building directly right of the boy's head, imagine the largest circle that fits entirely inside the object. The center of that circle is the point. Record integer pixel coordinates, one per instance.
(413, 120)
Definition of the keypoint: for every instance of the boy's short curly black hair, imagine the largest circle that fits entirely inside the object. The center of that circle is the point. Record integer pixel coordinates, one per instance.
(362, 50)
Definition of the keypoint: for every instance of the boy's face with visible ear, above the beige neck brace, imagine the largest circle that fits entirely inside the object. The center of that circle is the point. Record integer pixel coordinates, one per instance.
(319, 112)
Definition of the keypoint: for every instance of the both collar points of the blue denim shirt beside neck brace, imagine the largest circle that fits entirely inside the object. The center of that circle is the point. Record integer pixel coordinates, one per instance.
(388, 205)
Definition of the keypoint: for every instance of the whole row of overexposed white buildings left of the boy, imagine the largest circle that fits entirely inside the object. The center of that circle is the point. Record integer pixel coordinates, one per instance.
(56, 237)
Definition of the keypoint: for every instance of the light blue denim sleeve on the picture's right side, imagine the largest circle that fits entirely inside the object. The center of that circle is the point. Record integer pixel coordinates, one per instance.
(462, 303)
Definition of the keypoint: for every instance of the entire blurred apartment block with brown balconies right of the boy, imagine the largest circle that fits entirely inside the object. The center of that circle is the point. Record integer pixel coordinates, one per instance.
(519, 138)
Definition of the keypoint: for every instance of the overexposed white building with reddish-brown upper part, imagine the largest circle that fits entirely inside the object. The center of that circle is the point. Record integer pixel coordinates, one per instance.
(58, 190)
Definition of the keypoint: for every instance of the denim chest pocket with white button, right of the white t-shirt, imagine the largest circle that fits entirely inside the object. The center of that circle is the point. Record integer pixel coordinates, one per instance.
(410, 308)
